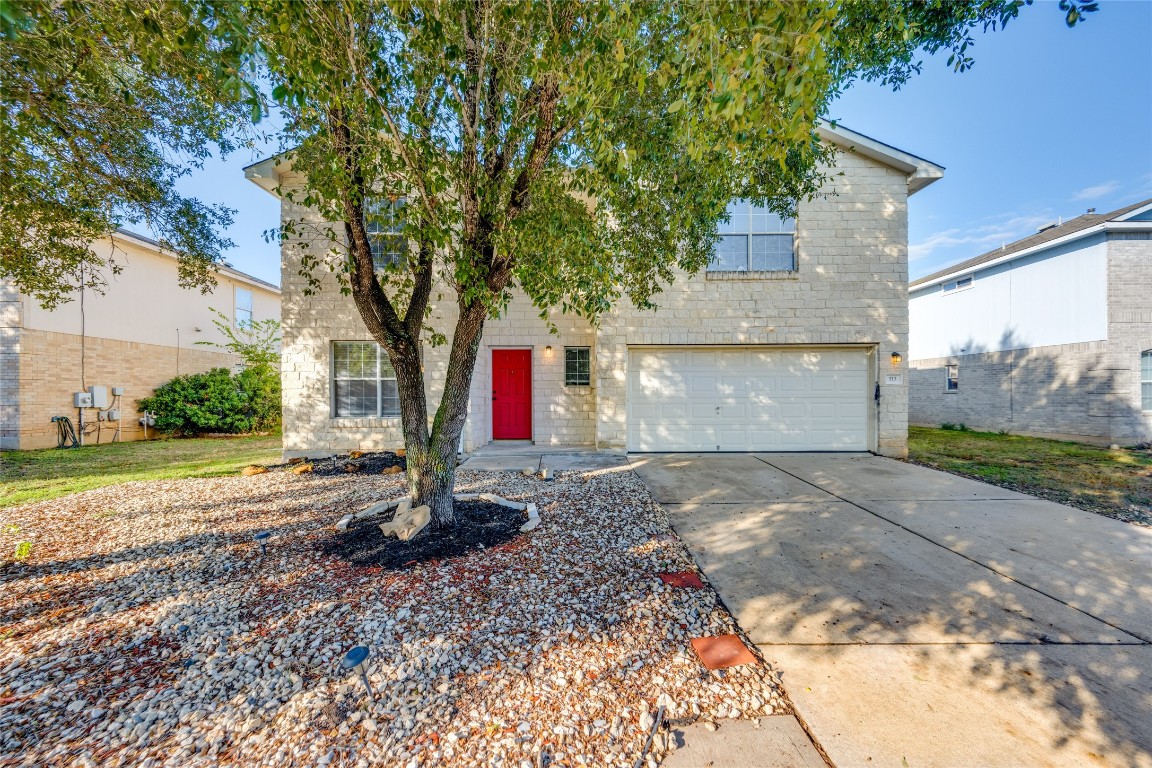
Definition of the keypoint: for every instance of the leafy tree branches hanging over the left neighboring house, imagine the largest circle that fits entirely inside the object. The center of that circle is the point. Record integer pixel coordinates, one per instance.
(105, 105)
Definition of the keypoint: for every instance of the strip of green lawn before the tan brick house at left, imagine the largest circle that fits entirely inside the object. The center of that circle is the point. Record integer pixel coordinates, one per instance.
(28, 476)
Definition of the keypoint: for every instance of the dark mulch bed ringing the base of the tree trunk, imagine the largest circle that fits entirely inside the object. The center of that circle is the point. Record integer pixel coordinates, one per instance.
(479, 524)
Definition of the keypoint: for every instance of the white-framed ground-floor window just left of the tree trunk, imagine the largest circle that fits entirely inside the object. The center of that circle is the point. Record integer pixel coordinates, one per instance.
(363, 383)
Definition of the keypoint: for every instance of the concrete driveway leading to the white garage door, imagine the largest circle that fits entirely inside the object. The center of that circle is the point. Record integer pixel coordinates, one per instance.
(920, 619)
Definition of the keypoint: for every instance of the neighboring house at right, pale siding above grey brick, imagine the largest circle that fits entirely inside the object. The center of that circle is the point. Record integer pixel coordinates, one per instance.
(1050, 336)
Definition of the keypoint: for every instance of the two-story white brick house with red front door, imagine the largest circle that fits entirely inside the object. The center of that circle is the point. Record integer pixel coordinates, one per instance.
(782, 346)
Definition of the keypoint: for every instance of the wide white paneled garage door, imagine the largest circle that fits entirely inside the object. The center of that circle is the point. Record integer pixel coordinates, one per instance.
(702, 400)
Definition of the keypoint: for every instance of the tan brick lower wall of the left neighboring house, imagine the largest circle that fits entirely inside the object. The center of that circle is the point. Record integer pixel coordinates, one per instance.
(50, 372)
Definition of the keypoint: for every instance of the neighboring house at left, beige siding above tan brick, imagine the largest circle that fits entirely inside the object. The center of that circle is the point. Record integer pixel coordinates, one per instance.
(140, 334)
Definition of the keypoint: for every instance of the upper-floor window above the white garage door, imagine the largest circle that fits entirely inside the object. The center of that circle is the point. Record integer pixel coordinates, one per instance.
(755, 240)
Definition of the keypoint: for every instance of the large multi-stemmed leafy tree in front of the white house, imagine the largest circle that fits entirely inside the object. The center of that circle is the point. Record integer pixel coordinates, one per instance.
(581, 153)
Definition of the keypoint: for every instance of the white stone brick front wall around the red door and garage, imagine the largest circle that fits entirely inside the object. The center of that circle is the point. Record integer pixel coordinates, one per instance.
(850, 290)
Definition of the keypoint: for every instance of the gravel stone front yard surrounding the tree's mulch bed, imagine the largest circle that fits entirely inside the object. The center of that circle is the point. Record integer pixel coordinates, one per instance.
(147, 629)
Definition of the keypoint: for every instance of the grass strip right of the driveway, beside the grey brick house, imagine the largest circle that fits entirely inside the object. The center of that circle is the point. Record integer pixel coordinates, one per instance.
(1098, 480)
